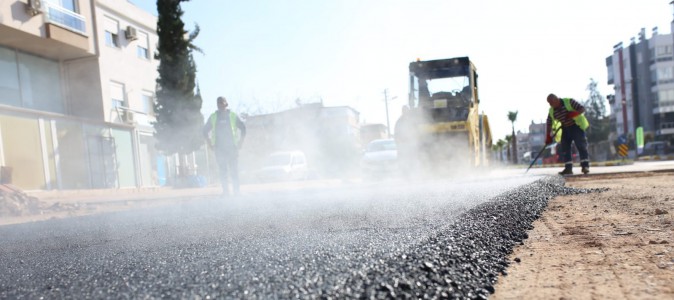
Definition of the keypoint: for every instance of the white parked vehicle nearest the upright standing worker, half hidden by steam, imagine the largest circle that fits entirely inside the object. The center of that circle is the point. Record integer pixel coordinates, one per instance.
(284, 166)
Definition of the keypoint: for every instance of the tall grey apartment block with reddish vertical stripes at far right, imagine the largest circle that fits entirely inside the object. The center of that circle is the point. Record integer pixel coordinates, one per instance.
(643, 78)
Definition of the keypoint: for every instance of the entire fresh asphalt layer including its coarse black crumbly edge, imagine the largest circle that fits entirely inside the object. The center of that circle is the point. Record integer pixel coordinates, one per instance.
(439, 240)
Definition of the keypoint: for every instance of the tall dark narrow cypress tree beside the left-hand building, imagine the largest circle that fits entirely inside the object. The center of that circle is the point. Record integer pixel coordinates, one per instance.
(178, 108)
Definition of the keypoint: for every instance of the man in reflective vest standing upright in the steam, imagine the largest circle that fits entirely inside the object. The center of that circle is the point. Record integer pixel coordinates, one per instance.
(225, 132)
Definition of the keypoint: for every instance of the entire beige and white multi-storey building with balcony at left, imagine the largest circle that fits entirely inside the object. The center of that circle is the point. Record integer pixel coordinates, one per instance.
(77, 81)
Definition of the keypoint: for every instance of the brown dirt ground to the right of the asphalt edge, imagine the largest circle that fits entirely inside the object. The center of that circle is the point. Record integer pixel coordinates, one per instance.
(617, 244)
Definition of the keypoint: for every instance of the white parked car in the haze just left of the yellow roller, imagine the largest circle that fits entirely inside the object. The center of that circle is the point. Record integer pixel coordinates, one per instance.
(380, 158)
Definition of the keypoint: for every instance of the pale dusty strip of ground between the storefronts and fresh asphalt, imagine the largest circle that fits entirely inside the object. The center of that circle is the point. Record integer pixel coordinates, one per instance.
(32, 206)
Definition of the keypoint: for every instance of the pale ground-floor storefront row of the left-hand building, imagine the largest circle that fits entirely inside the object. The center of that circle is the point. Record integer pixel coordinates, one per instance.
(56, 153)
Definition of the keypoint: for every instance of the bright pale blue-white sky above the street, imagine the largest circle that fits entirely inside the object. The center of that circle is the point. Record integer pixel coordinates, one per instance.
(264, 54)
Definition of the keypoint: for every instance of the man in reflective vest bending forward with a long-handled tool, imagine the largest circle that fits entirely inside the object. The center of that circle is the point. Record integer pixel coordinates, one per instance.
(568, 114)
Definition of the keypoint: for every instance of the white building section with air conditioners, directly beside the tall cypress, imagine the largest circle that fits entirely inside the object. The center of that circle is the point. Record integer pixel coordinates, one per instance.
(127, 71)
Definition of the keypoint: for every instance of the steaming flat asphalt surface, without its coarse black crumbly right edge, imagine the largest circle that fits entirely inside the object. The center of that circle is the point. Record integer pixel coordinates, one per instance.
(267, 245)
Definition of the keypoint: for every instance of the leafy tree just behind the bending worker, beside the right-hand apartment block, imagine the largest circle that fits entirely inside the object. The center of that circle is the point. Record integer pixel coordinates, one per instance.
(595, 112)
